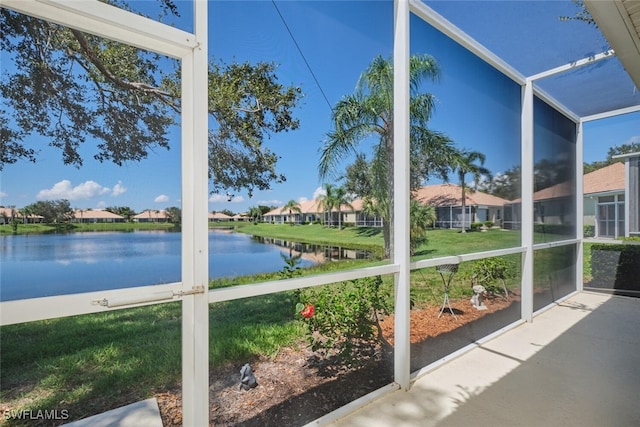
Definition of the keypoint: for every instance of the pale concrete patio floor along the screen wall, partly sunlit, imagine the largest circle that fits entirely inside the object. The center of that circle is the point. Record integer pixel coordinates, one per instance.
(576, 364)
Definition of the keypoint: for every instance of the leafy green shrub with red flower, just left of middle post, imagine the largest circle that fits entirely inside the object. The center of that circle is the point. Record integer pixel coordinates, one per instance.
(343, 319)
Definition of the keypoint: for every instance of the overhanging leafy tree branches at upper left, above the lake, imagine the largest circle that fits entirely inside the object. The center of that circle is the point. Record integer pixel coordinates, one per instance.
(73, 89)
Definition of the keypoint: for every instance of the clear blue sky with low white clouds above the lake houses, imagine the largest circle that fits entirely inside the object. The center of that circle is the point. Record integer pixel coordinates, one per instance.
(338, 39)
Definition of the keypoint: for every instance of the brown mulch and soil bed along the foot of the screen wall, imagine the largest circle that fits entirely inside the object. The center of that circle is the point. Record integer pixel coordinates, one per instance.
(297, 387)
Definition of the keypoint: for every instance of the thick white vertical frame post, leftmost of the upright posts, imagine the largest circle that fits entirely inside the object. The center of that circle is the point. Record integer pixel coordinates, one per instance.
(195, 236)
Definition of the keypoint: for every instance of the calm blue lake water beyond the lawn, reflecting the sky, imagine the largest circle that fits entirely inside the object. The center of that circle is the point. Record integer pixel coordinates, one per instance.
(39, 265)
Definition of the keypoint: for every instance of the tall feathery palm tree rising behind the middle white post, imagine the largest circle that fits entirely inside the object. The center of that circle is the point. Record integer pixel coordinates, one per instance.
(369, 112)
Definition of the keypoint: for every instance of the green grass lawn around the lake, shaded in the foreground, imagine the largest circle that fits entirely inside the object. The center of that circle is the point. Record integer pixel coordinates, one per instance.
(91, 363)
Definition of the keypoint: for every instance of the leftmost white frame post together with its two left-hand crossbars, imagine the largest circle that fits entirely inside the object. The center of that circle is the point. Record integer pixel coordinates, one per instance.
(113, 23)
